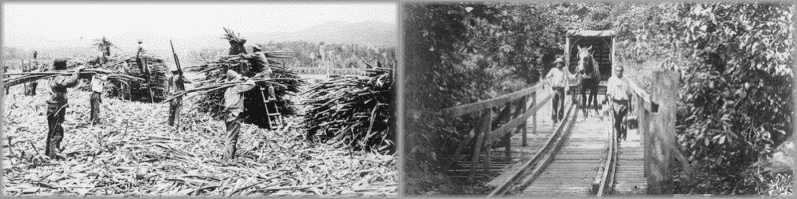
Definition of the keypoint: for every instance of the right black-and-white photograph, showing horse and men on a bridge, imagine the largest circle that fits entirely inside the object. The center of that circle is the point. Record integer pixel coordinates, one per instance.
(598, 99)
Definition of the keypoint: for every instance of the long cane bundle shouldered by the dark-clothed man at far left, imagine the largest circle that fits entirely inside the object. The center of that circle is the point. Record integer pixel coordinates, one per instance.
(36, 76)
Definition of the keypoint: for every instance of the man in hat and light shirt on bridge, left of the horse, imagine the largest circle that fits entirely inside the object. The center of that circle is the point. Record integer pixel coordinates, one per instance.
(557, 78)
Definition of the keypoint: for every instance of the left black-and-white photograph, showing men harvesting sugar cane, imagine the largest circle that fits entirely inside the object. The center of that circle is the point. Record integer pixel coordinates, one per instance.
(224, 100)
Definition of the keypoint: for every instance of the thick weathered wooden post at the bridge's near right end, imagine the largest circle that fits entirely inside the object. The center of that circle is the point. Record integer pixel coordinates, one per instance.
(662, 132)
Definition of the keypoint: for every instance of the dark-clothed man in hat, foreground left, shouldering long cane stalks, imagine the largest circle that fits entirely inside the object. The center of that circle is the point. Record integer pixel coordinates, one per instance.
(56, 107)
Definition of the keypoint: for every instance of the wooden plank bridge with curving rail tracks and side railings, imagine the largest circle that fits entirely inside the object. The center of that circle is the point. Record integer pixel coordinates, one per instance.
(523, 154)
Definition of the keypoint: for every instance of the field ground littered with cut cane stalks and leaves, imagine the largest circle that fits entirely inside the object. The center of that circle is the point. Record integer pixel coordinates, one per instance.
(135, 153)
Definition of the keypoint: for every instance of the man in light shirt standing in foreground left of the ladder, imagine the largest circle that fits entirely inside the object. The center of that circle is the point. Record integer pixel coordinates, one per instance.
(233, 107)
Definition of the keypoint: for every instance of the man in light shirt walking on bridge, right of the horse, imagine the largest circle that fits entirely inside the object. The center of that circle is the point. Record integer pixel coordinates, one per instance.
(618, 91)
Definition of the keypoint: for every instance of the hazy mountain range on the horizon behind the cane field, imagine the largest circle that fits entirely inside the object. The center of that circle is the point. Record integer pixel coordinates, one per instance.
(369, 33)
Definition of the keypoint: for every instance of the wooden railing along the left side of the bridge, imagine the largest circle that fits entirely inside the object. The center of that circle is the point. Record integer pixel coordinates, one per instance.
(499, 118)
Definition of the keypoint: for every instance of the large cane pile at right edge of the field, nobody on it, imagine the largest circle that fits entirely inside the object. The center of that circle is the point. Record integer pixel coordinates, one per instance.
(355, 110)
